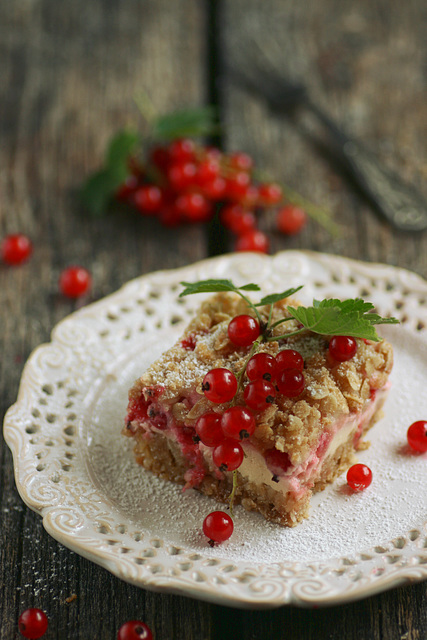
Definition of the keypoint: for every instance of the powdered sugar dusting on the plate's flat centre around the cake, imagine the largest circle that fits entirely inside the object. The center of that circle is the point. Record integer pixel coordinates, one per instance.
(341, 523)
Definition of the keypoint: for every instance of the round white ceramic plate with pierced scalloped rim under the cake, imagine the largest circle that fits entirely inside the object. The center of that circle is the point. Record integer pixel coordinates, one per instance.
(74, 468)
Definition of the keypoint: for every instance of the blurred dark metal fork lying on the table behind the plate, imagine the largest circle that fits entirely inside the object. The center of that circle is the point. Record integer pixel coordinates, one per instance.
(399, 202)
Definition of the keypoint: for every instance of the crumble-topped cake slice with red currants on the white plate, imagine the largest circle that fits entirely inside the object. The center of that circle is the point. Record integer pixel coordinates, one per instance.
(301, 409)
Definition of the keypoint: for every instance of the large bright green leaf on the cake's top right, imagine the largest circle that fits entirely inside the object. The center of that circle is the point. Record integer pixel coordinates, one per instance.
(341, 318)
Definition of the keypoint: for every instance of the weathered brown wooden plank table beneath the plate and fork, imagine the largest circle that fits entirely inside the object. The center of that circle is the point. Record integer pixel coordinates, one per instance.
(69, 72)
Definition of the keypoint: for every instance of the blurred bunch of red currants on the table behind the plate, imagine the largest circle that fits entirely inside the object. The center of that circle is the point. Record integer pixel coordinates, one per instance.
(183, 182)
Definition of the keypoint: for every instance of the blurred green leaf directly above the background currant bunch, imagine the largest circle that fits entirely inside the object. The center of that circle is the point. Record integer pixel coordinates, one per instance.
(201, 121)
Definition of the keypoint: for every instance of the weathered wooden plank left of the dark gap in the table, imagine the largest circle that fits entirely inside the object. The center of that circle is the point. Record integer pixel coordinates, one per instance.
(69, 73)
